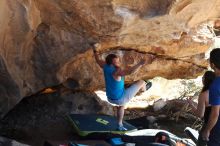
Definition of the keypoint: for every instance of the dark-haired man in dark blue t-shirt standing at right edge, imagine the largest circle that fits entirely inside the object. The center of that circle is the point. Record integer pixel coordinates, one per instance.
(211, 132)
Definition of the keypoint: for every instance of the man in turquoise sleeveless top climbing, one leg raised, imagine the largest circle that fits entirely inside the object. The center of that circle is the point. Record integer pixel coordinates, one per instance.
(114, 83)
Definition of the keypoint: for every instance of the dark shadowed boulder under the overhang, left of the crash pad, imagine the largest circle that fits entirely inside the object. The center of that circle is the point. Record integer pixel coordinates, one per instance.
(43, 117)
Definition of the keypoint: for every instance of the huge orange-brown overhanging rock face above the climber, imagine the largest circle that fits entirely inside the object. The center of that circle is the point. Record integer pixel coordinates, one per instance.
(46, 43)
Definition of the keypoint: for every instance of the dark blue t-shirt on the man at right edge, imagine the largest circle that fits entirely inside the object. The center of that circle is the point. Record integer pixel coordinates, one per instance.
(214, 96)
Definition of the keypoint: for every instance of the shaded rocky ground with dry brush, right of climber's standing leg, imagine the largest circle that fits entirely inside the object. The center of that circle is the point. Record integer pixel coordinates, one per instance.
(166, 119)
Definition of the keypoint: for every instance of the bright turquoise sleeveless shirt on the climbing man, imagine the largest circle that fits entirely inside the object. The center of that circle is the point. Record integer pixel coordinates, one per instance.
(114, 88)
